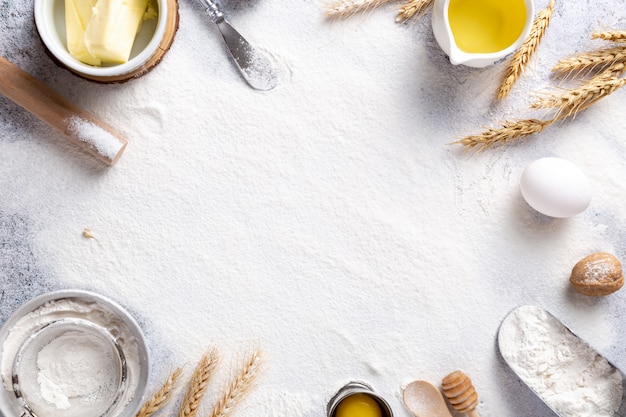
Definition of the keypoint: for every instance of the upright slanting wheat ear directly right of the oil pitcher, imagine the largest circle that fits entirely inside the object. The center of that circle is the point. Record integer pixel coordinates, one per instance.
(522, 56)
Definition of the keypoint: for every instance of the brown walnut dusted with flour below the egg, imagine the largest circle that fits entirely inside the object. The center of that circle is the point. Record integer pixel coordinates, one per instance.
(597, 274)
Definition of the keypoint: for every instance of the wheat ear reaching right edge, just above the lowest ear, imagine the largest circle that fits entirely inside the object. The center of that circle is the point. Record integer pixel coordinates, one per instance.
(572, 102)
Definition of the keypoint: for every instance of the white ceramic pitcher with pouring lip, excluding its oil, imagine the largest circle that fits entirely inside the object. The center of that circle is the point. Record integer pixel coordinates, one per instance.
(445, 37)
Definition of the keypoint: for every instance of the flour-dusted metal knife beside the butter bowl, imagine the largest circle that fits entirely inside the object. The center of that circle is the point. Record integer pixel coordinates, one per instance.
(254, 67)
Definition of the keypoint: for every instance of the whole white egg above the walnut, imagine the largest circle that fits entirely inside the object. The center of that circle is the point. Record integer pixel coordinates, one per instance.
(555, 187)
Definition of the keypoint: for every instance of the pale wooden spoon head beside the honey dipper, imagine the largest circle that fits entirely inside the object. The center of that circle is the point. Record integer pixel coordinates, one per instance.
(423, 399)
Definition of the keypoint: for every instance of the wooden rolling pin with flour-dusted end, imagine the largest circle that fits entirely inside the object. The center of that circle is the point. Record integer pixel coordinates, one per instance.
(81, 127)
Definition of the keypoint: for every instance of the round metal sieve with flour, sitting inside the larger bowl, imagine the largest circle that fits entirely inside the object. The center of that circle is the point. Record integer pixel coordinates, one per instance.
(101, 363)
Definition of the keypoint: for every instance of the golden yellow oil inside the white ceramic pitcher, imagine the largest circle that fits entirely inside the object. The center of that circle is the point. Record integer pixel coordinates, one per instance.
(483, 26)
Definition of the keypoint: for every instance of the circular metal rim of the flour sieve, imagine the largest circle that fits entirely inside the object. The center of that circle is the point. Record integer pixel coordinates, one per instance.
(77, 323)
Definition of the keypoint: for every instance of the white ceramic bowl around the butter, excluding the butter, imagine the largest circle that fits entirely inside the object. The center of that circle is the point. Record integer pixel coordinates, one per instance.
(50, 22)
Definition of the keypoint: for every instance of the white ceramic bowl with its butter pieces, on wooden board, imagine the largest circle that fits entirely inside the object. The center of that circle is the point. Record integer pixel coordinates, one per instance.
(102, 40)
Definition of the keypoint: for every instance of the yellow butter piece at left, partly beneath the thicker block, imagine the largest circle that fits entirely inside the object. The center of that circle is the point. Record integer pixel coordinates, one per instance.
(77, 16)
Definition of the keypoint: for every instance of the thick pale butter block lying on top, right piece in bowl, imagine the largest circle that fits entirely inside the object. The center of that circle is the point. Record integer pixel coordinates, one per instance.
(111, 32)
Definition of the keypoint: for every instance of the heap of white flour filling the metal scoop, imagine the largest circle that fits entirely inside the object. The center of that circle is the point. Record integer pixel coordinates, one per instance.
(571, 377)
